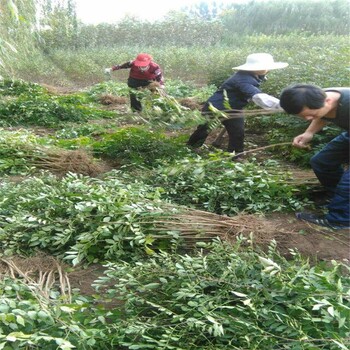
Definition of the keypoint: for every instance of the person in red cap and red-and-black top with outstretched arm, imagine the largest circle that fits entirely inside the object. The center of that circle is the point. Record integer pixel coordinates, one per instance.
(143, 71)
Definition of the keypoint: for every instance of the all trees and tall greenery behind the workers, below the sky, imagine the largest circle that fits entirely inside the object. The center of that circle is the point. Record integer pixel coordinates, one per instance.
(199, 44)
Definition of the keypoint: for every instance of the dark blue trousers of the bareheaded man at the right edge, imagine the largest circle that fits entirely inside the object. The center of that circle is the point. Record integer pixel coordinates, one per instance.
(328, 167)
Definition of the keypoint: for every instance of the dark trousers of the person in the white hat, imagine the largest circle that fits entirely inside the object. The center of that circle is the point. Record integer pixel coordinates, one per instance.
(235, 131)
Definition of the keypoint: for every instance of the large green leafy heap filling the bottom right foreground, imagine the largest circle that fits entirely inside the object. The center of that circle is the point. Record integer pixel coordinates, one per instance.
(225, 298)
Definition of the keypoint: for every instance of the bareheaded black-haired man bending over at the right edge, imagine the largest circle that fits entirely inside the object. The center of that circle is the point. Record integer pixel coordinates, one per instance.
(321, 106)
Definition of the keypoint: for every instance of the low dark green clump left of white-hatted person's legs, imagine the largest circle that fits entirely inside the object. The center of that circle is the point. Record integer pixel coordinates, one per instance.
(139, 145)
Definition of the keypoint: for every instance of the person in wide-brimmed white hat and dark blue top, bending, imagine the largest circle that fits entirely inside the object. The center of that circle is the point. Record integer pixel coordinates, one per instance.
(241, 88)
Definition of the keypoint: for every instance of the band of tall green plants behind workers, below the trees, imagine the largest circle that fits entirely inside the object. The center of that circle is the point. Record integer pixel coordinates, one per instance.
(318, 59)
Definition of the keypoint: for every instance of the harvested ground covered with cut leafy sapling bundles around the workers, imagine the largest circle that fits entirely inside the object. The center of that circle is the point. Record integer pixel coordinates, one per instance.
(93, 193)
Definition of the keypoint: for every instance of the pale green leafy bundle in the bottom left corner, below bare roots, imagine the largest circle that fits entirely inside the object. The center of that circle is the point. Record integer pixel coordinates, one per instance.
(30, 318)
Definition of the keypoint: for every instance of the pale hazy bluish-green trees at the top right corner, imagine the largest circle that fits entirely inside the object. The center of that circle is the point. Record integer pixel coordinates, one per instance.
(283, 17)
